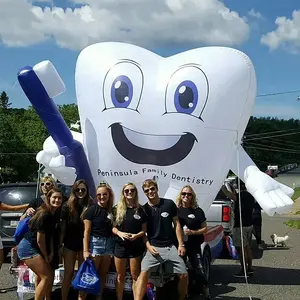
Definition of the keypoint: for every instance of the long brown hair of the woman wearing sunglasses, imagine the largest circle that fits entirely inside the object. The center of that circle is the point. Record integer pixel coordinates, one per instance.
(72, 202)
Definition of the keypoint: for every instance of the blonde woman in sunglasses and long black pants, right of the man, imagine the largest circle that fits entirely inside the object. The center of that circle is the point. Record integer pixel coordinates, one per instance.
(193, 222)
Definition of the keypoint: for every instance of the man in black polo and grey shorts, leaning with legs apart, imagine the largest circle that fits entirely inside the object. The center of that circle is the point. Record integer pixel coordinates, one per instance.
(161, 240)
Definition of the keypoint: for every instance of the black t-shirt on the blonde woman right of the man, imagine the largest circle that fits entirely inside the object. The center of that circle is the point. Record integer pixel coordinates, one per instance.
(192, 218)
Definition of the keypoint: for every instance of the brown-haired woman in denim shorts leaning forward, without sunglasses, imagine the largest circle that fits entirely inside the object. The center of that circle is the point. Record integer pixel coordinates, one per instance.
(33, 248)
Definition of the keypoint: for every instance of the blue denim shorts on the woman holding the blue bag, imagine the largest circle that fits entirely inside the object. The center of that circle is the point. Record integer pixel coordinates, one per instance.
(100, 246)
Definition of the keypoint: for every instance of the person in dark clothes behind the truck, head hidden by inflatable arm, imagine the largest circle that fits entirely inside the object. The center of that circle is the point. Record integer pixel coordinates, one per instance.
(247, 204)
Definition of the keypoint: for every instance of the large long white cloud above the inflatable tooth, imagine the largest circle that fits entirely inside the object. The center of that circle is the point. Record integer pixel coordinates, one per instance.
(146, 23)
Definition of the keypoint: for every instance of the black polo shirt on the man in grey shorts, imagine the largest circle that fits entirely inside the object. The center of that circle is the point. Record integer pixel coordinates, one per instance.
(160, 231)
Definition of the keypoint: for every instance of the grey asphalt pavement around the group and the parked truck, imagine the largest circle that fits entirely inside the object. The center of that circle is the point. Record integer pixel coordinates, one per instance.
(276, 277)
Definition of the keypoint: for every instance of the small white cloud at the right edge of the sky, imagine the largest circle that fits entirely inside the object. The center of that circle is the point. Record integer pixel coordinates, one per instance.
(286, 35)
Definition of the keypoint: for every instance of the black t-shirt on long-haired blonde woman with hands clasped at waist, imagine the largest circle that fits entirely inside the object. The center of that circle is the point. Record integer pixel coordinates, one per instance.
(132, 223)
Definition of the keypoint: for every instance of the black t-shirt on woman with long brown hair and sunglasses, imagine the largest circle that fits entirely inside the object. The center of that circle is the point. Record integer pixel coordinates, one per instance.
(73, 237)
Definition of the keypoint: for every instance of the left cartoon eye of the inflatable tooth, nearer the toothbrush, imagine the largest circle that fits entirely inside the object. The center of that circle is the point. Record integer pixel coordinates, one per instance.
(123, 86)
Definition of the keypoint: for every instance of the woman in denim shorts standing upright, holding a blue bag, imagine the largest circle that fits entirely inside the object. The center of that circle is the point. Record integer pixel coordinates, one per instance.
(98, 242)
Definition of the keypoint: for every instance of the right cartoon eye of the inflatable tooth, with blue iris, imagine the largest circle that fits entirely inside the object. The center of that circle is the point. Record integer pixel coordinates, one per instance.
(187, 91)
